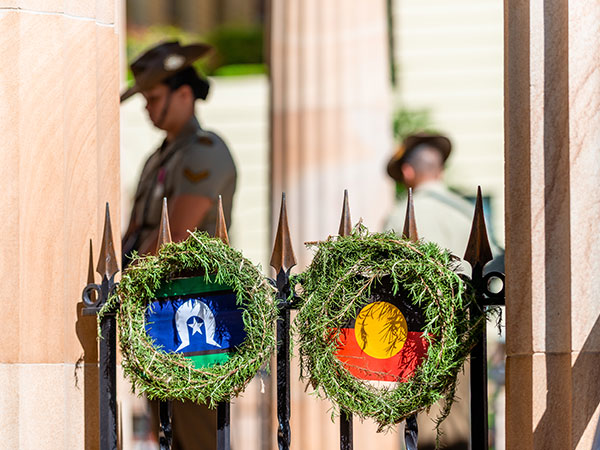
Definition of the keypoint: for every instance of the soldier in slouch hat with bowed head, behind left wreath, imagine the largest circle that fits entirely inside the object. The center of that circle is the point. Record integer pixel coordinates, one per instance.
(191, 168)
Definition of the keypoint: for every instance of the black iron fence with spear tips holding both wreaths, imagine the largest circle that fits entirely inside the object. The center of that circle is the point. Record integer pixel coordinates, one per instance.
(478, 254)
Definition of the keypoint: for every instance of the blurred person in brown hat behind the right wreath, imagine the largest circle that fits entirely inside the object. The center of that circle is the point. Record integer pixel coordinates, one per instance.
(445, 218)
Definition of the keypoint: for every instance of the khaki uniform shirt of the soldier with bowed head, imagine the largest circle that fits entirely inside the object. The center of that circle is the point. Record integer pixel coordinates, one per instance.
(196, 162)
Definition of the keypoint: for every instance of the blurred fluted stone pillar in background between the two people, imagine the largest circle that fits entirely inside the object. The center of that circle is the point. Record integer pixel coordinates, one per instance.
(331, 129)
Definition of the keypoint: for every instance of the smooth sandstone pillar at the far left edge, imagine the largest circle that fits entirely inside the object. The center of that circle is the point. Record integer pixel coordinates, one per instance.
(59, 164)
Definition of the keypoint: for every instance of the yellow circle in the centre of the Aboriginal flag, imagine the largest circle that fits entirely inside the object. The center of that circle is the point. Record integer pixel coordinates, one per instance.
(380, 330)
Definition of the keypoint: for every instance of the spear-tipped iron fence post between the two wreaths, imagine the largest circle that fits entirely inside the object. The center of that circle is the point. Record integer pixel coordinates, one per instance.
(282, 260)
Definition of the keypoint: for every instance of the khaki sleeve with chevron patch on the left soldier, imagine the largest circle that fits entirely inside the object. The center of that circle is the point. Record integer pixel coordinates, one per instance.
(205, 169)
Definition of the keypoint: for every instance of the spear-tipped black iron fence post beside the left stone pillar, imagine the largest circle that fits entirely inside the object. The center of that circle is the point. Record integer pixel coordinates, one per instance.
(107, 268)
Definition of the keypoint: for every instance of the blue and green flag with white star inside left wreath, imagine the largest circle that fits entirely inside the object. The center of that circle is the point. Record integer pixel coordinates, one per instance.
(198, 319)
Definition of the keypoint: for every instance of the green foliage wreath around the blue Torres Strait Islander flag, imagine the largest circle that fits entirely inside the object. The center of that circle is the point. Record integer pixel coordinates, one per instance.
(171, 376)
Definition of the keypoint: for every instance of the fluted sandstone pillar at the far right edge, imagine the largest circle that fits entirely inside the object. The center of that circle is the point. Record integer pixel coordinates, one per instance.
(552, 130)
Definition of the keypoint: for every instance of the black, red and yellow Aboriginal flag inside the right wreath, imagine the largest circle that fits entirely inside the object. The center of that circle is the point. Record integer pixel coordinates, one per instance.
(385, 341)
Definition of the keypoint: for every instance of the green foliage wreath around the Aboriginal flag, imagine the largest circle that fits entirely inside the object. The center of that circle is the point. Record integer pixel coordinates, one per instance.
(337, 285)
